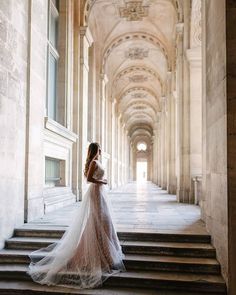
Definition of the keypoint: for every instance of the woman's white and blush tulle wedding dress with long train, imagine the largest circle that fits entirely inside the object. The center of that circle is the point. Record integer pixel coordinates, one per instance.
(89, 251)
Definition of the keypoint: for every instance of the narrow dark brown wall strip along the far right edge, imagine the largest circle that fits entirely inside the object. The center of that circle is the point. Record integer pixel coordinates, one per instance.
(231, 139)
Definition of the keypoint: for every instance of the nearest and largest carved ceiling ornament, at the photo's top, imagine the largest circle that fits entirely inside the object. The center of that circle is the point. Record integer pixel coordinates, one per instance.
(134, 11)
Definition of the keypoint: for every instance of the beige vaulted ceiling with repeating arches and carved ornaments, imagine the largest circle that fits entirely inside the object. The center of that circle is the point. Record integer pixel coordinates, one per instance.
(135, 49)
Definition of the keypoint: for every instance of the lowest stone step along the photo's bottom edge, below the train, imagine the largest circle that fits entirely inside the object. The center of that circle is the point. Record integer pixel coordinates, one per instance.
(31, 288)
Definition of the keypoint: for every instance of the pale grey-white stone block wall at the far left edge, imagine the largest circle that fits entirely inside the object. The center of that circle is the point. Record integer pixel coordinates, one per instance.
(13, 92)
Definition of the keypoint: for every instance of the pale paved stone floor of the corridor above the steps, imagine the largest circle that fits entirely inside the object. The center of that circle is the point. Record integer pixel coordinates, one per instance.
(140, 207)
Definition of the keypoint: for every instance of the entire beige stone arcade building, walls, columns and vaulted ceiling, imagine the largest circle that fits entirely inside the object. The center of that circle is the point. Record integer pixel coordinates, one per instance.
(122, 73)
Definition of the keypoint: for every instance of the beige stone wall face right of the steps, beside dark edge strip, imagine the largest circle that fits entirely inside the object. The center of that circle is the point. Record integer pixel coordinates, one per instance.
(214, 203)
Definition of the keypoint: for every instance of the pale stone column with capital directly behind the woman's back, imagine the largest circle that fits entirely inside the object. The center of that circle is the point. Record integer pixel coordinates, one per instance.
(86, 41)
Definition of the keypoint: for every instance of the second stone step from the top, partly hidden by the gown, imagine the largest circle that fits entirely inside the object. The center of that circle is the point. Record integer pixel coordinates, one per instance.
(129, 247)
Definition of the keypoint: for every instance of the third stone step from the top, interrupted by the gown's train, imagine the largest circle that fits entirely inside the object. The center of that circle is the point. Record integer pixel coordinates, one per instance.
(135, 262)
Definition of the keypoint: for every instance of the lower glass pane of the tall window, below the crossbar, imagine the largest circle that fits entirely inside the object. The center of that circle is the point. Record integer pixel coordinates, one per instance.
(52, 93)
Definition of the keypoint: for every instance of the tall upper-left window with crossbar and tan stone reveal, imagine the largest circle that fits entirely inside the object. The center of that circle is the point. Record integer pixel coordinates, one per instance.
(56, 94)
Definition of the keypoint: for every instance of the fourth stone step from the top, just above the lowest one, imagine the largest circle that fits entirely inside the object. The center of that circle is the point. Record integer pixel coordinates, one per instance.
(202, 283)
